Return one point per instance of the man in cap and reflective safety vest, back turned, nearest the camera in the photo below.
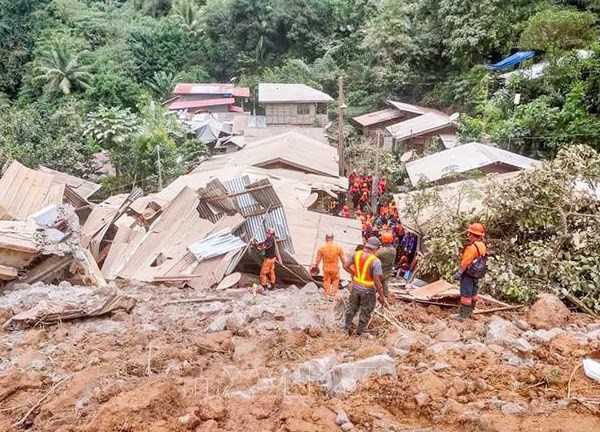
(366, 271)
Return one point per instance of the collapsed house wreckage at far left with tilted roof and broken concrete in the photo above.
(39, 225)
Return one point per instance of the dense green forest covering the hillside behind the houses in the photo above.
(78, 76)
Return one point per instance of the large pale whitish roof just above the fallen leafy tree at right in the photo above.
(462, 159)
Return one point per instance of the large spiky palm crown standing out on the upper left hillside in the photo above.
(60, 70)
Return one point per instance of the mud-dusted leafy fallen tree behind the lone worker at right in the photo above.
(543, 230)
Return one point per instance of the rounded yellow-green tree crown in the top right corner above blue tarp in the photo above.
(559, 29)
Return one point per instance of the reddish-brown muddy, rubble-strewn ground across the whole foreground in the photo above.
(233, 366)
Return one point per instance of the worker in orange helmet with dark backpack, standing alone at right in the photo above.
(475, 249)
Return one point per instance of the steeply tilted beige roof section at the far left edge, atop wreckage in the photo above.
(24, 191)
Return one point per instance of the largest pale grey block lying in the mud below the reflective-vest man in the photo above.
(345, 377)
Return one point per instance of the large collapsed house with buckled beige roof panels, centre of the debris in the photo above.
(201, 227)
